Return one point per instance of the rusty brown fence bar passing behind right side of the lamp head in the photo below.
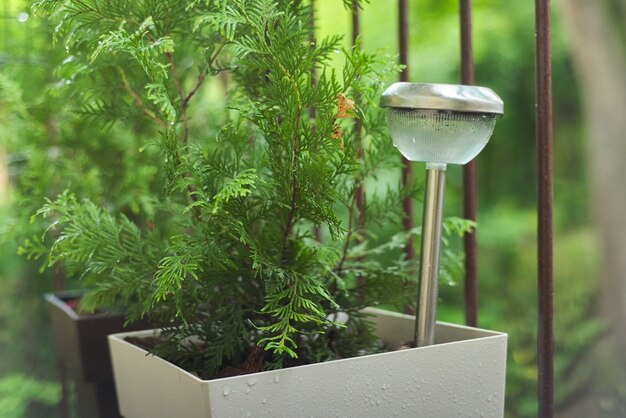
(469, 176)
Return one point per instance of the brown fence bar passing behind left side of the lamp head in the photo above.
(407, 169)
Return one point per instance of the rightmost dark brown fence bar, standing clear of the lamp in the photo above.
(545, 338)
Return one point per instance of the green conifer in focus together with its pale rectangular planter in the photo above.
(229, 265)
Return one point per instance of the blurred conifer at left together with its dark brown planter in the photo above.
(51, 142)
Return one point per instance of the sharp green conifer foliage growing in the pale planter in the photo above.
(228, 254)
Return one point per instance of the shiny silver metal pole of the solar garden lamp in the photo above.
(429, 255)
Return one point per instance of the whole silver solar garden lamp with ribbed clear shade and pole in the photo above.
(438, 124)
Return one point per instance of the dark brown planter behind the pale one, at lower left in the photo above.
(81, 344)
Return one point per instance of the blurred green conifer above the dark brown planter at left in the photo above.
(51, 142)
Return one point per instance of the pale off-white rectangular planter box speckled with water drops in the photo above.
(461, 375)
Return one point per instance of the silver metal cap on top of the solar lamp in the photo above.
(446, 97)
